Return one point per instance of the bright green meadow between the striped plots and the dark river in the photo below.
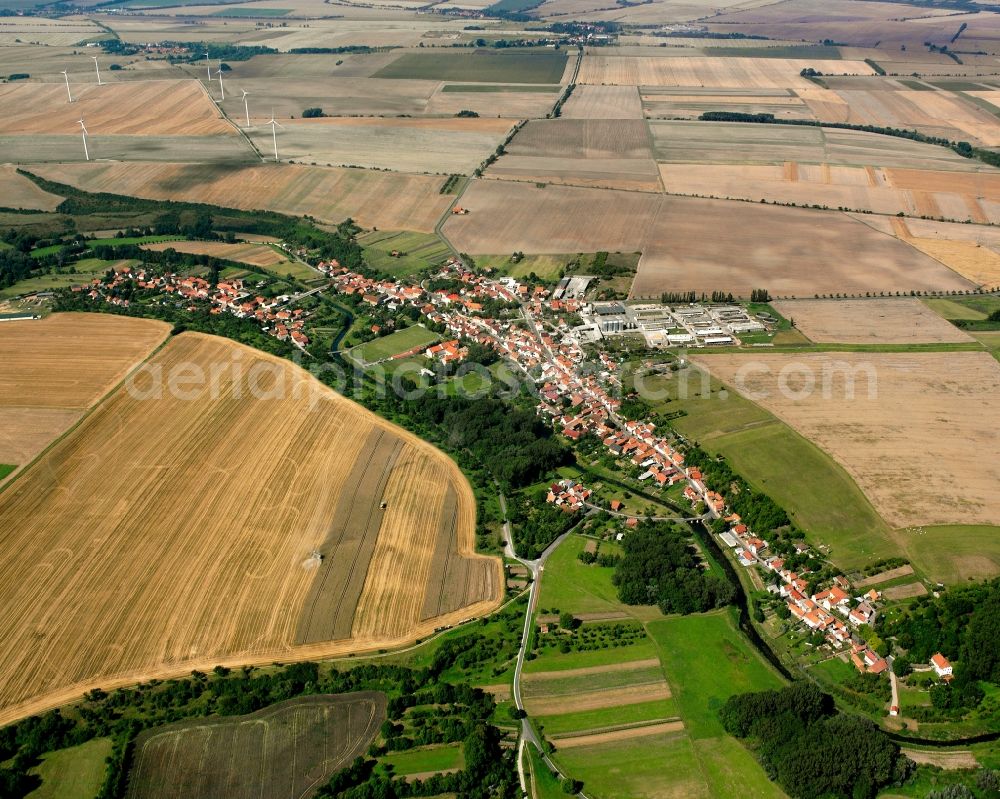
(707, 660)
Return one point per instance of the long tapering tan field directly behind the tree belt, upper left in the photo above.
(372, 199)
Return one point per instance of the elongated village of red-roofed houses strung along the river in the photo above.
(575, 395)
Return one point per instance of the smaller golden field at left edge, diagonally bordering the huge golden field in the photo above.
(40, 395)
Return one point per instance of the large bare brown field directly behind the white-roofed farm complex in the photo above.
(696, 245)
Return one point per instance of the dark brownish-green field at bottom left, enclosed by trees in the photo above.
(288, 749)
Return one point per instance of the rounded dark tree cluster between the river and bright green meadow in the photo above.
(659, 566)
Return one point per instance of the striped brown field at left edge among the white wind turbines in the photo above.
(165, 108)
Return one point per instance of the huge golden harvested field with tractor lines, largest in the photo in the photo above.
(105, 583)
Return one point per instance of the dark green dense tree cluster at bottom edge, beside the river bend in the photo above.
(811, 750)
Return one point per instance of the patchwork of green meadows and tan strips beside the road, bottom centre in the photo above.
(639, 718)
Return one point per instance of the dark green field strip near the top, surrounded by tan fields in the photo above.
(479, 66)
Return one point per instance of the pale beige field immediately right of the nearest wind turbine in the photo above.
(404, 145)
